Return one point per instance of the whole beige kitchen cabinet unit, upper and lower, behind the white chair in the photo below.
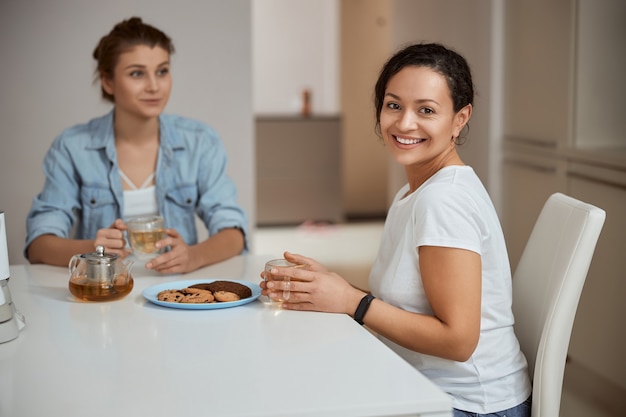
(555, 140)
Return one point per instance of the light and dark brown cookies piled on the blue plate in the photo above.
(212, 292)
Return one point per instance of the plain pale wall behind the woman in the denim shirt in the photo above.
(47, 75)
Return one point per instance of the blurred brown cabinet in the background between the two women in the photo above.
(298, 169)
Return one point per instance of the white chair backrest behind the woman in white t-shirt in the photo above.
(547, 285)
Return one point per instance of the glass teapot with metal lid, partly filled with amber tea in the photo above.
(100, 276)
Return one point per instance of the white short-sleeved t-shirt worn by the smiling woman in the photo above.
(453, 209)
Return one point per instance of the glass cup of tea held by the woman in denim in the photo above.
(143, 233)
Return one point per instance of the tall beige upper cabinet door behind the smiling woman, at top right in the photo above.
(538, 71)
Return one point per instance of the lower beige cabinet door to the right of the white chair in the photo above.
(598, 338)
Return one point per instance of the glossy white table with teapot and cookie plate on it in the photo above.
(133, 358)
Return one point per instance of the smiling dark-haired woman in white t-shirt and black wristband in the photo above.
(441, 284)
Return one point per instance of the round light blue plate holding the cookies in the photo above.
(151, 293)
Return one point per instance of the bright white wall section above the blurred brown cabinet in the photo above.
(295, 46)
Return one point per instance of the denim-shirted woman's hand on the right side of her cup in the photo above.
(177, 260)
